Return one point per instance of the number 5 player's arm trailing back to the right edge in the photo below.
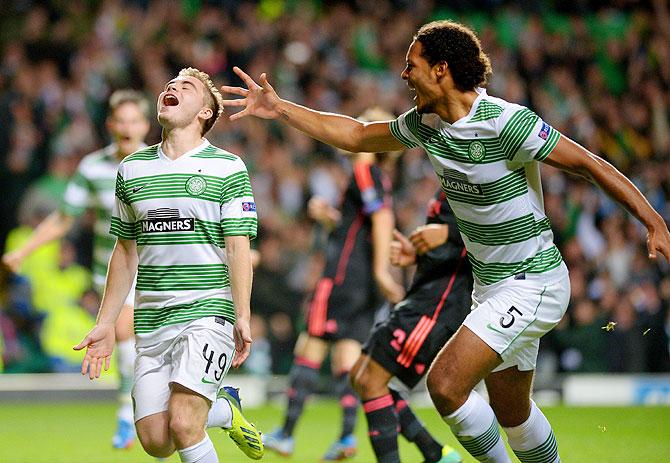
(571, 157)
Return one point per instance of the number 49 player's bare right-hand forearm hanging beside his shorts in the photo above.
(239, 262)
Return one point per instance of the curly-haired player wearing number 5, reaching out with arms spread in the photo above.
(486, 152)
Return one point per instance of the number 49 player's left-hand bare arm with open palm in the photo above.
(99, 342)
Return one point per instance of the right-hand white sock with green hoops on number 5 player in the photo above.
(533, 441)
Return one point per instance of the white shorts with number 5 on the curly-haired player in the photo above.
(512, 315)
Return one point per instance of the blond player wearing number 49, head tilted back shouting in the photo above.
(183, 216)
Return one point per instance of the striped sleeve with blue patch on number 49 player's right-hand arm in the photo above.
(238, 208)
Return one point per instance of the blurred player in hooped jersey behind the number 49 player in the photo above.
(93, 187)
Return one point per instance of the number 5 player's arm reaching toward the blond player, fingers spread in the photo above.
(337, 130)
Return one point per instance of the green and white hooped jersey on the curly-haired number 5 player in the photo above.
(485, 163)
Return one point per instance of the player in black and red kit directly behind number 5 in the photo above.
(406, 343)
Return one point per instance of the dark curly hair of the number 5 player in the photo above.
(459, 47)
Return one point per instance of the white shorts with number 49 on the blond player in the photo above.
(198, 358)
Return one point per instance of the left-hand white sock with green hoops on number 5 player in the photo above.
(475, 426)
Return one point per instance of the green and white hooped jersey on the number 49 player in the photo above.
(179, 211)
